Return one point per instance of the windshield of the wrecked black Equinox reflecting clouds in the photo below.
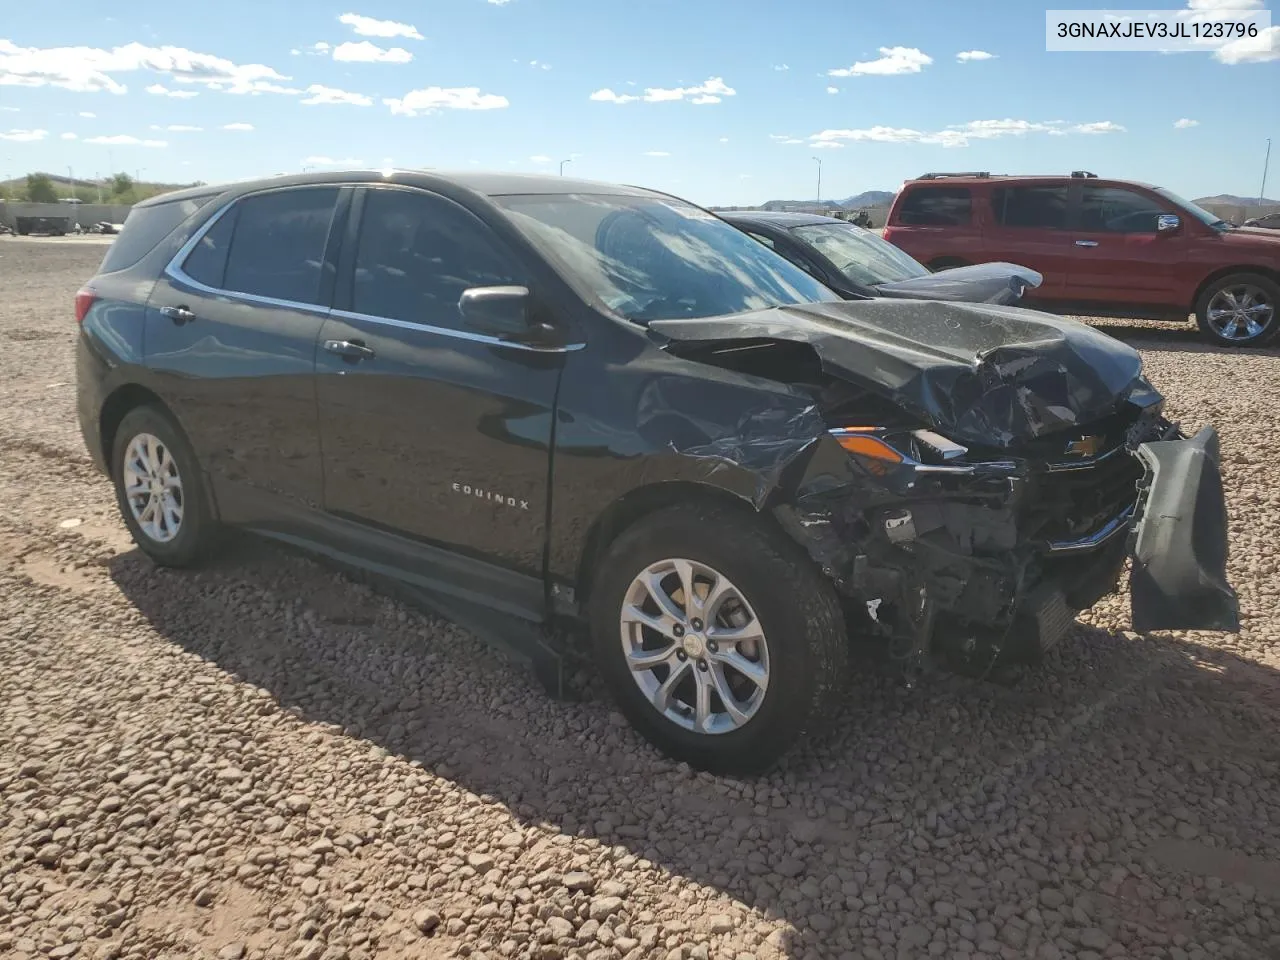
(659, 259)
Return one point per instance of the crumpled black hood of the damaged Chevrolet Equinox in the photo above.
(981, 373)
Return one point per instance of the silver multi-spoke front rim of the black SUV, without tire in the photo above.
(694, 647)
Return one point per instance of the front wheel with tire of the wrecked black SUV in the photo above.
(720, 641)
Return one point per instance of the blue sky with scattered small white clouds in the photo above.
(719, 102)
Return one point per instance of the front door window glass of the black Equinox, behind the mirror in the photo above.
(418, 254)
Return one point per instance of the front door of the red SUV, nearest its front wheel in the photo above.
(1118, 257)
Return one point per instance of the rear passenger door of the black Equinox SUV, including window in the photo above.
(231, 332)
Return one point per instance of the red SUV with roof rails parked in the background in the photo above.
(1105, 248)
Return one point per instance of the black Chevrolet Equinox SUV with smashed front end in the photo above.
(560, 401)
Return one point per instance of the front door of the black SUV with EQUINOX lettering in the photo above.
(433, 433)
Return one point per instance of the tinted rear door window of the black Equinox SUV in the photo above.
(278, 244)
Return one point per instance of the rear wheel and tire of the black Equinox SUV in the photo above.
(161, 490)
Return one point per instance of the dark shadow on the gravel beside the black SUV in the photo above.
(918, 797)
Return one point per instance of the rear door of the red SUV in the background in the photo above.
(1028, 226)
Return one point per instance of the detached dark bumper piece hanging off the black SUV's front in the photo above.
(1180, 541)
